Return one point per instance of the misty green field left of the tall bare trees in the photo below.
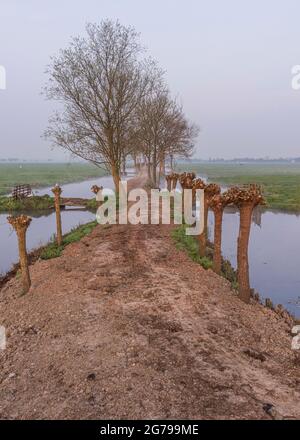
(40, 175)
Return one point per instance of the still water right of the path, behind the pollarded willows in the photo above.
(273, 253)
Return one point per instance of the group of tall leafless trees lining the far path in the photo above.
(114, 104)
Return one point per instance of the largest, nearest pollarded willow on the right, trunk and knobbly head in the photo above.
(246, 199)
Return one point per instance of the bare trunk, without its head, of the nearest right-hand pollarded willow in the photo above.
(242, 252)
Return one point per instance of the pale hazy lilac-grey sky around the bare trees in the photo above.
(229, 62)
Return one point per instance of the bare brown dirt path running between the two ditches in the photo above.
(123, 325)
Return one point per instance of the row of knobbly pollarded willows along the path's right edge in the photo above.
(245, 198)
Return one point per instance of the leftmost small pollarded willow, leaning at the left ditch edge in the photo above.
(20, 225)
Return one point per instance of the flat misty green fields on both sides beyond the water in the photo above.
(280, 182)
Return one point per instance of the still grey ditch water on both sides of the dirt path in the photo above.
(273, 250)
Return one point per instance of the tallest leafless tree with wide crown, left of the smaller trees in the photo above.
(99, 82)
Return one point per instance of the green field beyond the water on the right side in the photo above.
(280, 182)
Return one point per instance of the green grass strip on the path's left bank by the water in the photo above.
(52, 250)
